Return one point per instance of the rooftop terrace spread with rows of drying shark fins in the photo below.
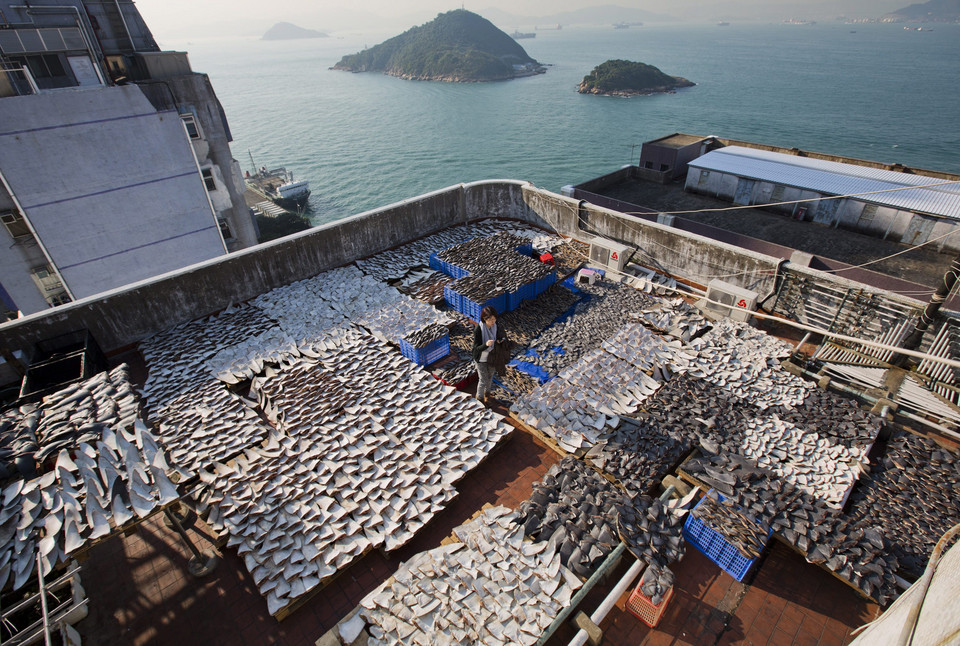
(321, 459)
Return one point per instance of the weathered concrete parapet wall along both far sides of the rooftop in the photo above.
(127, 315)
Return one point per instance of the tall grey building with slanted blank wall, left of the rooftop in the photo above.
(115, 163)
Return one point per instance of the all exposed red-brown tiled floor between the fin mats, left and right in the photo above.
(141, 593)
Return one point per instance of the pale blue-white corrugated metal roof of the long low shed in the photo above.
(835, 178)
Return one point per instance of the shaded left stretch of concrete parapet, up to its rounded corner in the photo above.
(129, 314)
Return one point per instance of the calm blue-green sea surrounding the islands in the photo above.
(876, 92)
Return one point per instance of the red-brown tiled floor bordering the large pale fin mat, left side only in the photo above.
(141, 593)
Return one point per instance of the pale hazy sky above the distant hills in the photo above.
(174, 19)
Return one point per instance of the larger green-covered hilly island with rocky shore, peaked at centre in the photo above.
(456, 46)
